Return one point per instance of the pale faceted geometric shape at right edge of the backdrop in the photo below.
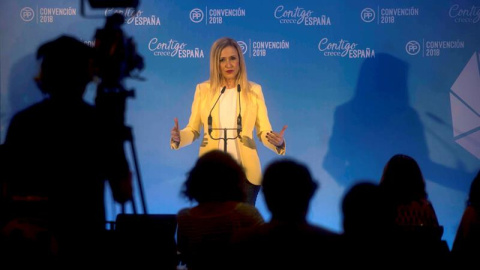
(465, 106)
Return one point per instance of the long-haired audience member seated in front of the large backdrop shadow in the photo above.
(416, 235)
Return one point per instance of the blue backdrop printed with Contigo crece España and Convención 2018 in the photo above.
(355, 81)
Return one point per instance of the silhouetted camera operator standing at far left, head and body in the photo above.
(56, 159)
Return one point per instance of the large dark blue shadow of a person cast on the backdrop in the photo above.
(377, 123)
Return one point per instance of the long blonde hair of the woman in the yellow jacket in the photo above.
(216, 78)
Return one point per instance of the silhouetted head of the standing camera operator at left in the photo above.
(66, 68)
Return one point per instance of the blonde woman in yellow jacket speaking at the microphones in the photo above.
(228, 104)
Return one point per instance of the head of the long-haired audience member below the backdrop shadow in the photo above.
(402, 179)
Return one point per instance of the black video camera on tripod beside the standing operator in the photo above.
(115, 59)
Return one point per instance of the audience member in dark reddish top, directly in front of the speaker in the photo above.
(204, 231)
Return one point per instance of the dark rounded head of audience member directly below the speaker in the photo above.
(216, 177)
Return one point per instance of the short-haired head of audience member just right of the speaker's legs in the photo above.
(288, 188)
